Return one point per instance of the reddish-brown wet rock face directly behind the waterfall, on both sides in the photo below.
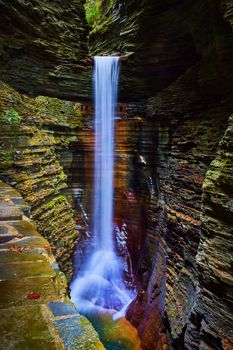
(137, 213)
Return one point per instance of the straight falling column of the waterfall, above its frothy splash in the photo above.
(106, 82)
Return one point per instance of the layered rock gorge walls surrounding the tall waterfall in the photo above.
(173, 155)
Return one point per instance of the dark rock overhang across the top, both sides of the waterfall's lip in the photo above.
(161, 40)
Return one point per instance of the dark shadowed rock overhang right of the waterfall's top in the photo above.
(161, 39)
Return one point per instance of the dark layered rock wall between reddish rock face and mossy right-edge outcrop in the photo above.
(198, 123)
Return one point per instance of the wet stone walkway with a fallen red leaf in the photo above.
(35, 312)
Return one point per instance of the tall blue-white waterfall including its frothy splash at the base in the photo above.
(99, 286)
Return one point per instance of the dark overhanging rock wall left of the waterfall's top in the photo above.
(43, 48)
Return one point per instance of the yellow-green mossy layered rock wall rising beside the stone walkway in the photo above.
(30, 162)
